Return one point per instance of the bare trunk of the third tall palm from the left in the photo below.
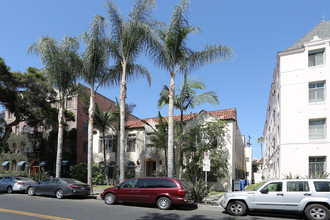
(122, 123)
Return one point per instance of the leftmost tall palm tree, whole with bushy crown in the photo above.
(62, 65)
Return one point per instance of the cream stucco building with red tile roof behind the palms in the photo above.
(143, 160)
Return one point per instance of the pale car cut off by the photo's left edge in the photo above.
(10, 184)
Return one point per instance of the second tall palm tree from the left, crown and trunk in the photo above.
(96, 74)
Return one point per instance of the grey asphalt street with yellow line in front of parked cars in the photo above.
(20, 206)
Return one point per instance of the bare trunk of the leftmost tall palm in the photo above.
(59, 142)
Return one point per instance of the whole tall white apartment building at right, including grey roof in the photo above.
(296, 135)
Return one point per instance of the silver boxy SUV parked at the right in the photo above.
(308, 196)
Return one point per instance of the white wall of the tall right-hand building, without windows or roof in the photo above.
(292, 149)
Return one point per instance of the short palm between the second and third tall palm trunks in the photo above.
(103, 121)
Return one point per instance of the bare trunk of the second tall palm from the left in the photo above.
(91, 111)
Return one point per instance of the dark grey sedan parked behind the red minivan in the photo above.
(59, 187)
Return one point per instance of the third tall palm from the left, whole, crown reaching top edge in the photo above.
(127, 41)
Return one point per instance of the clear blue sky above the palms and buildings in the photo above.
(256, 30)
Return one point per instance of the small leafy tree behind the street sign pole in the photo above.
(209, 137)
